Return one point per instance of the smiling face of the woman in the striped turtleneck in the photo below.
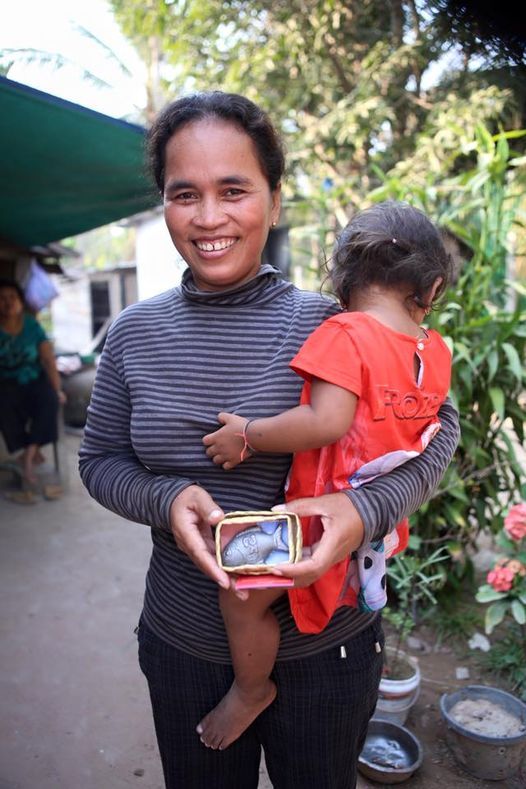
(220, 212)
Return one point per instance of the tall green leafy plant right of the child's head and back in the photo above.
(483, 320)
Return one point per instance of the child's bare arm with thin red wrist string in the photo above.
(324, 421)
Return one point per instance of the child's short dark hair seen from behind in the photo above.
(390, 244)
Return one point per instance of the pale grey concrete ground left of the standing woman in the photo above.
(75, 712)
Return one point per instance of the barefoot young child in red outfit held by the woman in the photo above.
(374, 381)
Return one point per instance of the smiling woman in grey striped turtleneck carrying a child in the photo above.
(222, 341)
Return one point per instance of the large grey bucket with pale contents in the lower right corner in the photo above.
(486, 757)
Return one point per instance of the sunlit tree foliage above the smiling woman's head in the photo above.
(355, 85)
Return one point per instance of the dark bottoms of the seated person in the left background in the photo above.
(28, 413)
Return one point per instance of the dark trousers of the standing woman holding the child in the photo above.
(312, 734)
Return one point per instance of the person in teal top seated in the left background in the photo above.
(30, 389)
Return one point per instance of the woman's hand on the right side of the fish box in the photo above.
(343, 533)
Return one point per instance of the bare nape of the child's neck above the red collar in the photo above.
(392, 307)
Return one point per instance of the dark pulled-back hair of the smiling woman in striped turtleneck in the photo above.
(229, 107)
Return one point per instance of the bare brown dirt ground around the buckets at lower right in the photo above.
(439, 770)
